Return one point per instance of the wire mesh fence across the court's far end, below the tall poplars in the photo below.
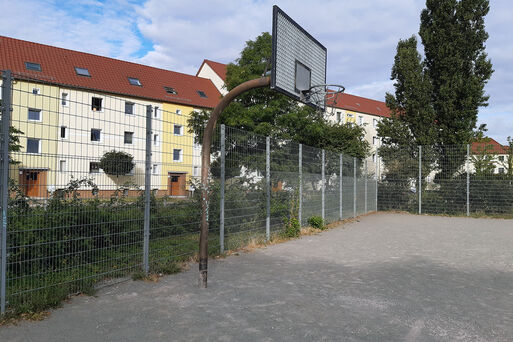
(467, 180)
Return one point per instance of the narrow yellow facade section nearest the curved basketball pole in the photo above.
(172, 115)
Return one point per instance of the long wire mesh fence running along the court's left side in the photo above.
(99, 187)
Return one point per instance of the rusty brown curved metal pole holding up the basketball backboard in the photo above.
(205, 167)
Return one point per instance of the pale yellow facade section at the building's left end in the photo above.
(44, 99)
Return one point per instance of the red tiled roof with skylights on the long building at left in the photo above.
(107, 74)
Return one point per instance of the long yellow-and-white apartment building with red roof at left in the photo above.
(73, 107)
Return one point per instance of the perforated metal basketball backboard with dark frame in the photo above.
(298, 61)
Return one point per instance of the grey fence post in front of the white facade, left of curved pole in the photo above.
(147, 192)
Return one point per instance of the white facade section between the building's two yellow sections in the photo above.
(76, 150)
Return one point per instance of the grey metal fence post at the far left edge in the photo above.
(4, 181)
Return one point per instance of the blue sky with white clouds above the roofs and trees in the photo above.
(361, 37)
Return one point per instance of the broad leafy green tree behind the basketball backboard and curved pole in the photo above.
(266, 112)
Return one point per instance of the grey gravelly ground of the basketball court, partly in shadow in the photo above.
(386, 277)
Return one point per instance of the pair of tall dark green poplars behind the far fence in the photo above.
(437, 99)
